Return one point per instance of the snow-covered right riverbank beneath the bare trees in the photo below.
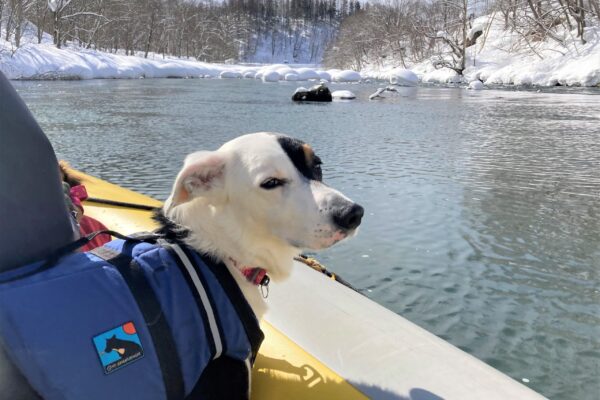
(504, 57)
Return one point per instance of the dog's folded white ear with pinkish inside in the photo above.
(203, 175)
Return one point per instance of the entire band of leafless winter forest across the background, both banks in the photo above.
(340, 33)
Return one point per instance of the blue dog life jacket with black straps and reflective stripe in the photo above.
(129, 320)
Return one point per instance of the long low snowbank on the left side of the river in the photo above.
(46, 62)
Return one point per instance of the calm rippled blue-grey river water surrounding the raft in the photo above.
(482, 216)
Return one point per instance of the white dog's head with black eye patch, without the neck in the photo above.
(268, 185)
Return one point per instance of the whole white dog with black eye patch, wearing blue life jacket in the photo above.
(236, 217)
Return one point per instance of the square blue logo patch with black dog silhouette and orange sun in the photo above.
(118, 347)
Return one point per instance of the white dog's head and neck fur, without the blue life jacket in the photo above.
(256, 203)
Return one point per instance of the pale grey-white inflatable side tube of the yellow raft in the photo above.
(377, 351)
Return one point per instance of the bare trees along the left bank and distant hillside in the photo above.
(207, 30)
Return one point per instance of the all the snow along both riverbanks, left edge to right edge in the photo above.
(498, 57)
